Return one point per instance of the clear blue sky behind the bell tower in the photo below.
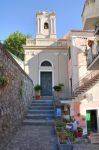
(20, 15)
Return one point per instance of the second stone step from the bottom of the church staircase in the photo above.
(39, 116)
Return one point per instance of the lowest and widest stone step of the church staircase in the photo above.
(38, 122)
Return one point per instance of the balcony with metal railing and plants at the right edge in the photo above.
(93, 56)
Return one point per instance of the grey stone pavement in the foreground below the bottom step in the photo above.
(34, 138)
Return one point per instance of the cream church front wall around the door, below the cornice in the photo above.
(33, 59)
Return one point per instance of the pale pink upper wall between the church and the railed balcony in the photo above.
(78, 59)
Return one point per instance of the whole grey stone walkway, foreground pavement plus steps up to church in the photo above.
(37, 131)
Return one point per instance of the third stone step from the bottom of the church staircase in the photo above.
(39, 111)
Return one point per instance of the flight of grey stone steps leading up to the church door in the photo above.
(41, 112)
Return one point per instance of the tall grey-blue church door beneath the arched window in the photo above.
(46, 83)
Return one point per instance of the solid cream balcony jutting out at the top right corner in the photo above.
(90, 14)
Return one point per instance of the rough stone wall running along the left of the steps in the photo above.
(16, 92)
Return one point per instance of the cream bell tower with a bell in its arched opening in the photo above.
(46, 24)
